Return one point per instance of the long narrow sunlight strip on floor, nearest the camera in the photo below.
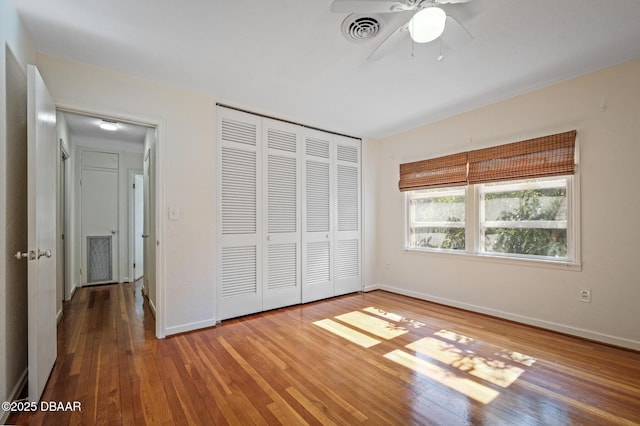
(467, 387)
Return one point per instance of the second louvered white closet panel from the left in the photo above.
(281, 189)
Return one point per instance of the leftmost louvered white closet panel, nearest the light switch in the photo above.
(239, 256)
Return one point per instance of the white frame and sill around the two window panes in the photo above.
(473, 238)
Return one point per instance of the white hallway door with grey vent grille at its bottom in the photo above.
(99, 225)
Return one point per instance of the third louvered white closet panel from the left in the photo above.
(317, 216)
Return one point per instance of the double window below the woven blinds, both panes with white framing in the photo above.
(522, 218)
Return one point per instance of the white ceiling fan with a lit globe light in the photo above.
(427, 23)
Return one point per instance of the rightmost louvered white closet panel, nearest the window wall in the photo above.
(348, 234)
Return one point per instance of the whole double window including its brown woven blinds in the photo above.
(517, 201)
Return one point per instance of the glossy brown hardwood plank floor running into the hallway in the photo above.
(374, 358)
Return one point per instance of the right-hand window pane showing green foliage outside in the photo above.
(525, 217)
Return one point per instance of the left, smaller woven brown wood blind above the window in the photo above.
(450, 170)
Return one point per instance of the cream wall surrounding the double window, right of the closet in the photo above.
(604, 107)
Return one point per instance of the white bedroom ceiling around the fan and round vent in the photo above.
(289, 59)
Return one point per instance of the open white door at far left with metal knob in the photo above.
(41, 193)
